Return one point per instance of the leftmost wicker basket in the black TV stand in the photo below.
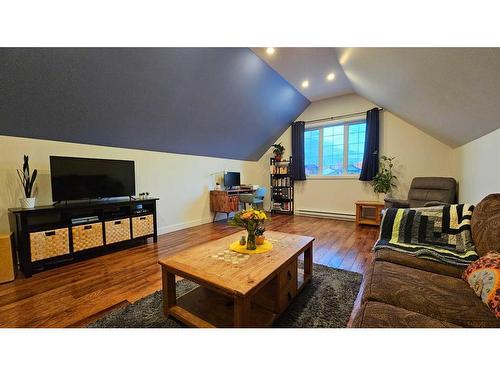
(48, 244)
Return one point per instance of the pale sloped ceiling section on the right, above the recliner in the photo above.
(452, 94)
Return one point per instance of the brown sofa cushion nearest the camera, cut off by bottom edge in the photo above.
(380, 315)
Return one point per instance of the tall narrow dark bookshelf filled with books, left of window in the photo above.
(282, 189)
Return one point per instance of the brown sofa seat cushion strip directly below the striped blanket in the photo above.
(419, 263)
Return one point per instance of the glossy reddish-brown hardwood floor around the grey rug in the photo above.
(75, 294)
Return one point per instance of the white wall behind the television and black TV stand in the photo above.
(181, 182)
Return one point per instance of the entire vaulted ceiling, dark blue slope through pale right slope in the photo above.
(234, 102)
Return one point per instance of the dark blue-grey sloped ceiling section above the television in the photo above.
(220, 102)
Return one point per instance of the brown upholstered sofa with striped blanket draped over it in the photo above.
(400, 290)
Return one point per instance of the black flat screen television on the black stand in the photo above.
(84, 178)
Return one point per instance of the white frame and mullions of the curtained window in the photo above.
(344, 175)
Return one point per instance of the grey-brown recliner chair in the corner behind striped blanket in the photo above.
(427, 191)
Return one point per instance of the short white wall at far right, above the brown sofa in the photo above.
(478, 167)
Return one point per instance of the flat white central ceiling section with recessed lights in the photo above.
(312, 64)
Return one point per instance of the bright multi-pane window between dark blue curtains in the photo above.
(335, 150)
